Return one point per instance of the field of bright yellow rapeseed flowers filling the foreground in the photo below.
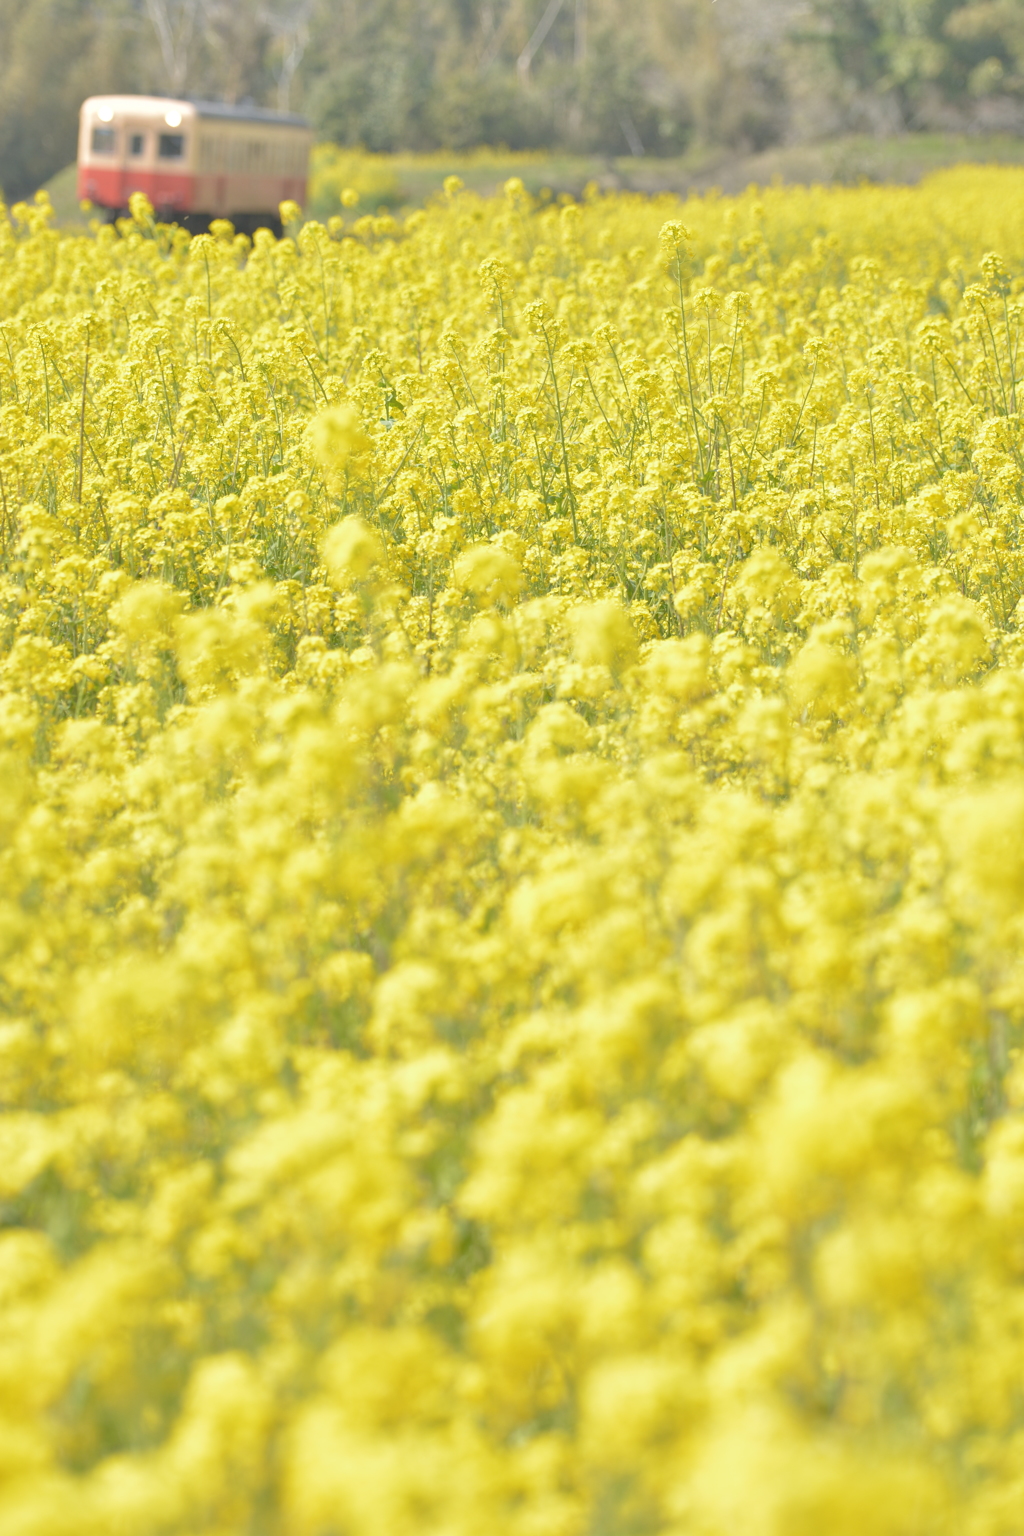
(512, 870)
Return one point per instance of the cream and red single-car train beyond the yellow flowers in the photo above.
(194, 161)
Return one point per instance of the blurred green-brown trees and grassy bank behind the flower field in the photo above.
(607, 82)
